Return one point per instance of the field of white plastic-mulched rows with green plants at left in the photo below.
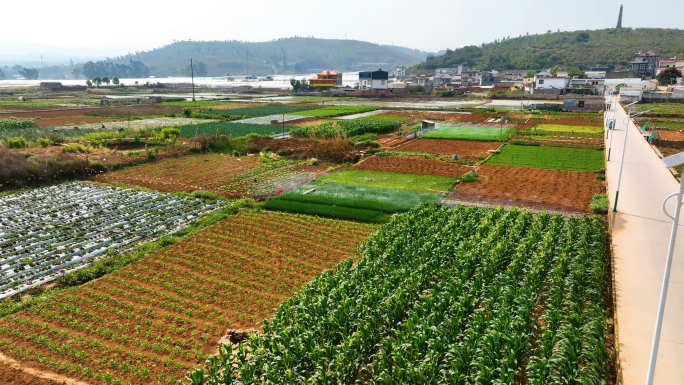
(47, 232)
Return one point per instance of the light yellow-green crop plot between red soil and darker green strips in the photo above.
(390, 180)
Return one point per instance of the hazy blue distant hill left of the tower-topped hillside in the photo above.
(290, 55)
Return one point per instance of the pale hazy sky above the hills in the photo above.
(117, 27)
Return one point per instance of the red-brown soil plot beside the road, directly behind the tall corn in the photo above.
(527, 187)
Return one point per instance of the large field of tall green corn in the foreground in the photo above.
(460, 295)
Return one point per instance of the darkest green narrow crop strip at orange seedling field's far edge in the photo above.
(328, 211)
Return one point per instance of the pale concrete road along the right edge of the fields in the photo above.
(640, 234)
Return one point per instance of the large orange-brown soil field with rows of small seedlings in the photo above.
(155, 319)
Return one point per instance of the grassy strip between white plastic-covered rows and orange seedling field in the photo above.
(115, 262)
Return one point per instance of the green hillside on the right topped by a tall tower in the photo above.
(578, 49)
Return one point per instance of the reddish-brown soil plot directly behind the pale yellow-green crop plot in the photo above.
(413, 165)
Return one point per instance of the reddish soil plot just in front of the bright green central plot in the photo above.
(466, 149)
